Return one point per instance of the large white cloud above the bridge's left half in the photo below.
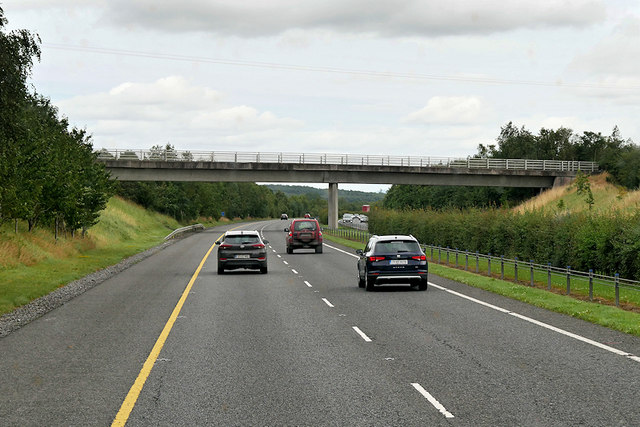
(171, 108)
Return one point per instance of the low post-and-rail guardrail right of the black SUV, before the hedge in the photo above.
(579, 282)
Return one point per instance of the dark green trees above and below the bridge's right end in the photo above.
(619, 157)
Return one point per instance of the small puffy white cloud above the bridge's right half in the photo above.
(450, 110)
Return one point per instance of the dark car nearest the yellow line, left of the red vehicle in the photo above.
(242, 249)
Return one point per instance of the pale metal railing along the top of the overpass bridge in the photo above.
(345, 159)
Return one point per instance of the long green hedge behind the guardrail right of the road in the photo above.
(608, 244)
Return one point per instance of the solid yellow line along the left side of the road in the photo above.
(134, 392)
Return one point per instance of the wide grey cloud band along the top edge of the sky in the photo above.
(381, 18)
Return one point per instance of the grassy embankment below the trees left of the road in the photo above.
(34, 264)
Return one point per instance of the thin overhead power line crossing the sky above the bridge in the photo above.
(293, 67)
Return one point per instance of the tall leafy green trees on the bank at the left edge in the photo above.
(48, 172)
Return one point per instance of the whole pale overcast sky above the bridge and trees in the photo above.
(404, 77)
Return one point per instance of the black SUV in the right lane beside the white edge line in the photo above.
(392, 259)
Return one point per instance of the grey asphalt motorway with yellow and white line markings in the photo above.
(303, 345)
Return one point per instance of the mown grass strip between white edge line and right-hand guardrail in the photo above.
(605, 315)
